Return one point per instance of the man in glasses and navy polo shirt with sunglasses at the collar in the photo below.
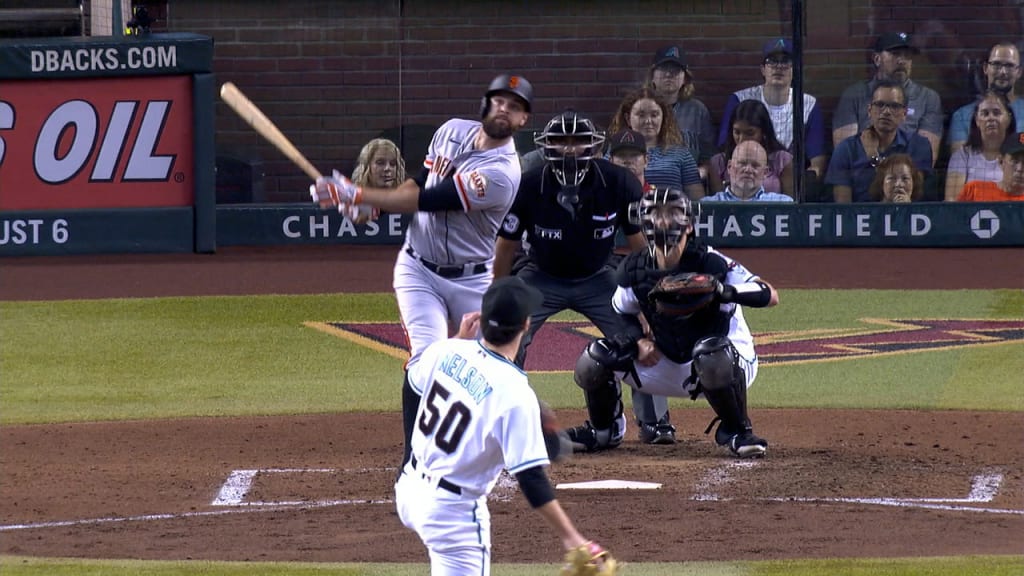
(852, 167)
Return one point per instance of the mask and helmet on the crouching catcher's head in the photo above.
(665, 215)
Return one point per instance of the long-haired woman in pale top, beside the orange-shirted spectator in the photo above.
(993, 121)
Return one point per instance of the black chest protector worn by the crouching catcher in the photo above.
(677, 336)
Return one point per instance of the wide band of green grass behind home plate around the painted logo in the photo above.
(160, 358)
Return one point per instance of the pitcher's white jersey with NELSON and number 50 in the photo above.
(478, 416)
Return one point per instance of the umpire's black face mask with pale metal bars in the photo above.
(557, 144)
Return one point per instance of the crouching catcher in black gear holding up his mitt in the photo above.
(697, 342)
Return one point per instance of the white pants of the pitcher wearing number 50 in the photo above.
(455, 529)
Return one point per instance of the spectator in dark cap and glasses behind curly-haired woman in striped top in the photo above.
(672, 80)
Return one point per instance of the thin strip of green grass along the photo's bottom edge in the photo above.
(963, 566)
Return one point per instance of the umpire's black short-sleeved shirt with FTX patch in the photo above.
(561, 244)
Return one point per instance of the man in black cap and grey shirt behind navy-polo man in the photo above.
(893, 60)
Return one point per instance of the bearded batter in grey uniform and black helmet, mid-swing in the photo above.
(470, 180)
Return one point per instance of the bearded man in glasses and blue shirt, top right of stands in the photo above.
(1003, 71)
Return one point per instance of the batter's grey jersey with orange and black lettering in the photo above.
(487, 182)
